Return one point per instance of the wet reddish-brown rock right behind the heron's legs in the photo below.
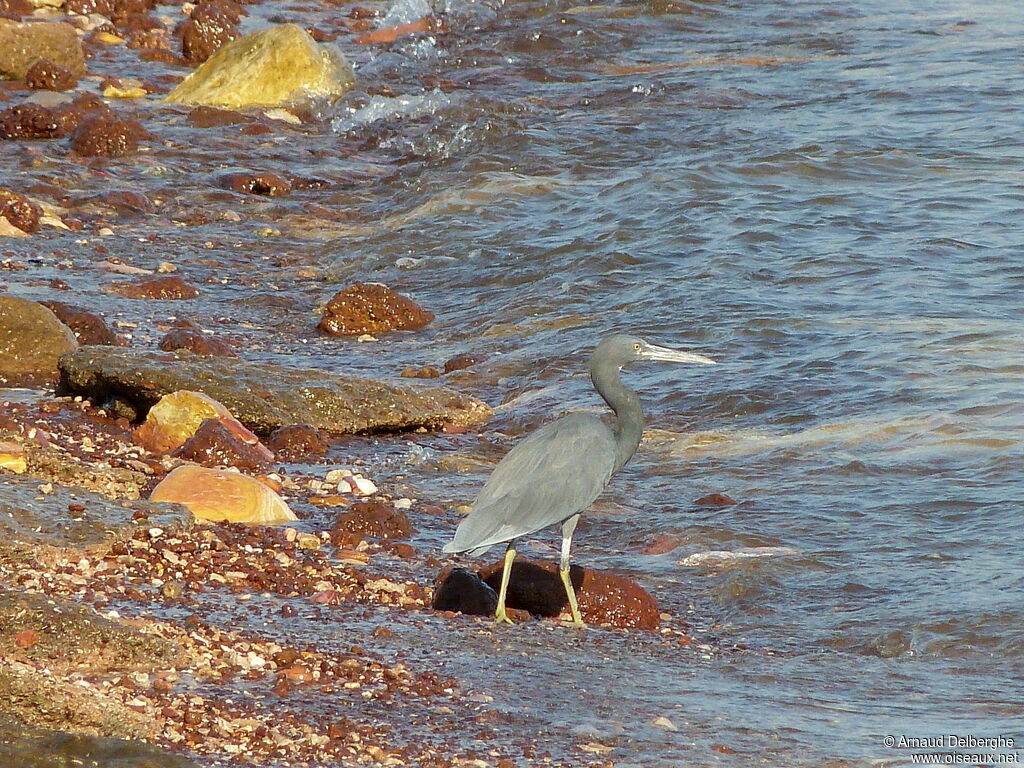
(604, 598)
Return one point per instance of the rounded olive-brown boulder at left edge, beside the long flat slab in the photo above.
(31, 342)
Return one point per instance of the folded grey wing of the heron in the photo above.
(550, 477)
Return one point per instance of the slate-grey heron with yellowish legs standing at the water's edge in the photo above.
(556, 475)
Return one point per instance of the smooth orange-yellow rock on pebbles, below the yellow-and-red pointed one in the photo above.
(220, 495)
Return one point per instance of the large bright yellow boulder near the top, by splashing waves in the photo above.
(276, 67)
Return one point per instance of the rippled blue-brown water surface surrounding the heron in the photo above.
(826, 197)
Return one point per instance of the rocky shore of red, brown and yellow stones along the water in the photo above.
(178, 506)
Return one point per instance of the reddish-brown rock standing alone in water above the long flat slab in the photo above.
(372, 308)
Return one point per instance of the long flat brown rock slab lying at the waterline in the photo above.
(266, 397)
